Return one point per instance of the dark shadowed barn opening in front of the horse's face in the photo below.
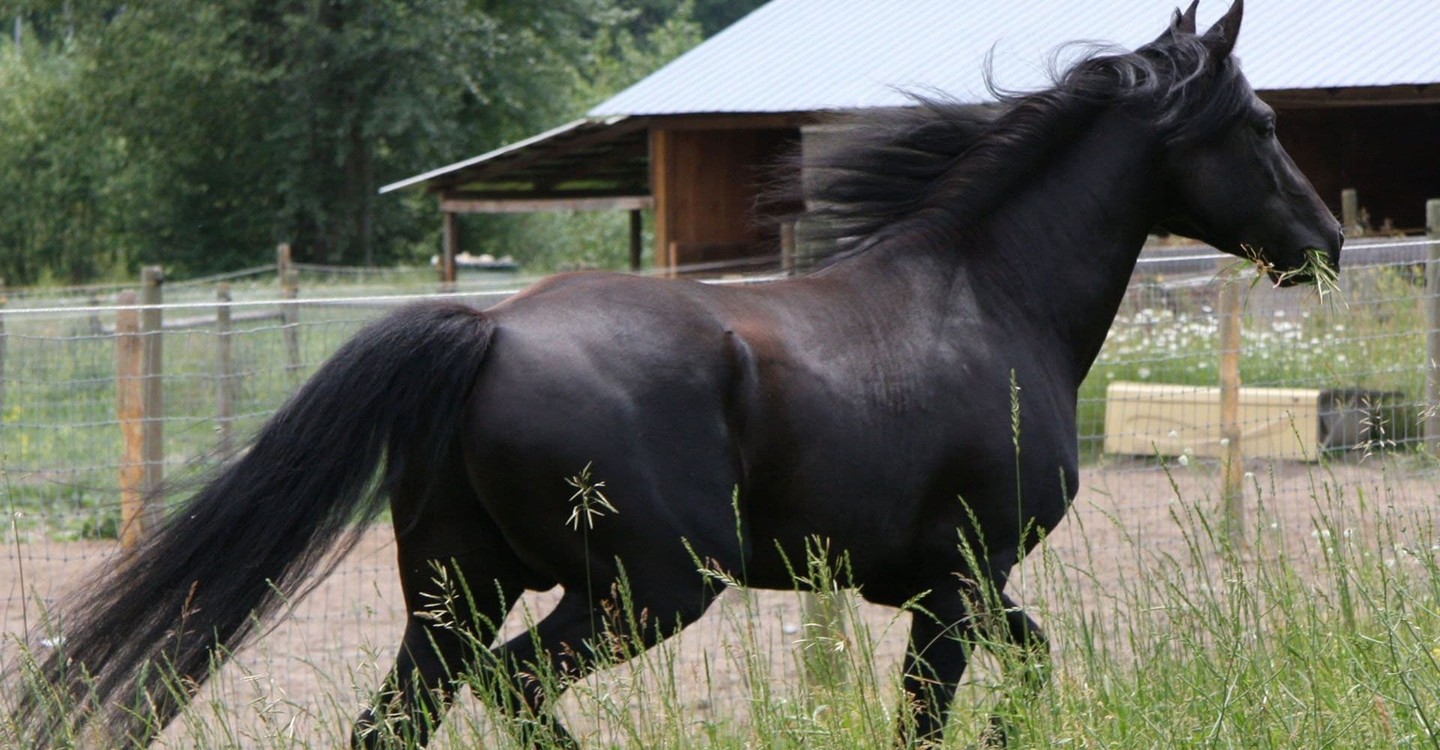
(1389, 155)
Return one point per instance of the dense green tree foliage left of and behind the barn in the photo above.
(201, 135)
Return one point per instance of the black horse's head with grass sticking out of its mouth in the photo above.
(1229, 181)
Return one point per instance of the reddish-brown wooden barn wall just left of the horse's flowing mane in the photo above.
(706, 184)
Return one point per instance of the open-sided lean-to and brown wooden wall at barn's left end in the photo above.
(701, 173)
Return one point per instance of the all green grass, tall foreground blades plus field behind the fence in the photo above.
(1327, 640)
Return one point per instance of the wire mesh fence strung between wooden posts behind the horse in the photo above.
(1334, 384)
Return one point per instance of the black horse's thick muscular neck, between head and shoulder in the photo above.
(1046, 268)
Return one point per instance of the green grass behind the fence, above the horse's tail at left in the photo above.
(60, 434)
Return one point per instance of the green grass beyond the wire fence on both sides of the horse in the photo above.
(60, 434)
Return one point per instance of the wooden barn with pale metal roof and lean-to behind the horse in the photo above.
(692, 148)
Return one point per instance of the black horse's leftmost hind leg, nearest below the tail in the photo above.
(460, 581)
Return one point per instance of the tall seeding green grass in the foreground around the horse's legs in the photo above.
(1328, 638)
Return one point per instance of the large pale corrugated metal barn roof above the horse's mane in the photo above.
(806, 55)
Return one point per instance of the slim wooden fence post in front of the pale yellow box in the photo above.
(1233, 460)
